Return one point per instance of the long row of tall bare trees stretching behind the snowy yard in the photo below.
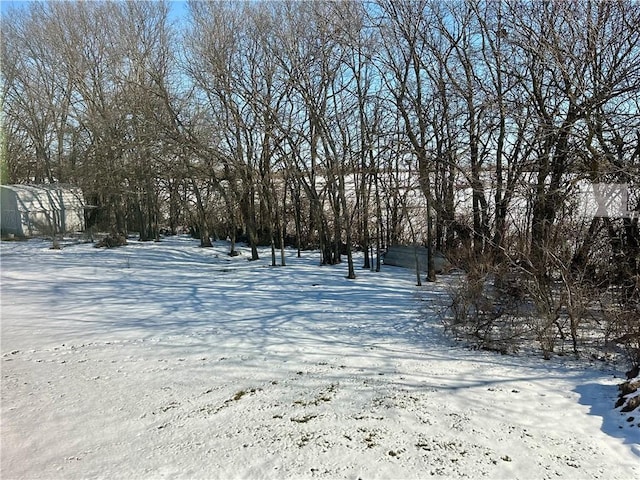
(466, 126)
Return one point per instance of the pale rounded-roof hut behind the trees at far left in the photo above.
(31, 210)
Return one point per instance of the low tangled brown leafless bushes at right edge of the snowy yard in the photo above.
(508, 308)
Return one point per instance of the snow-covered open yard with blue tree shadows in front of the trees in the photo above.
(165, 360)
